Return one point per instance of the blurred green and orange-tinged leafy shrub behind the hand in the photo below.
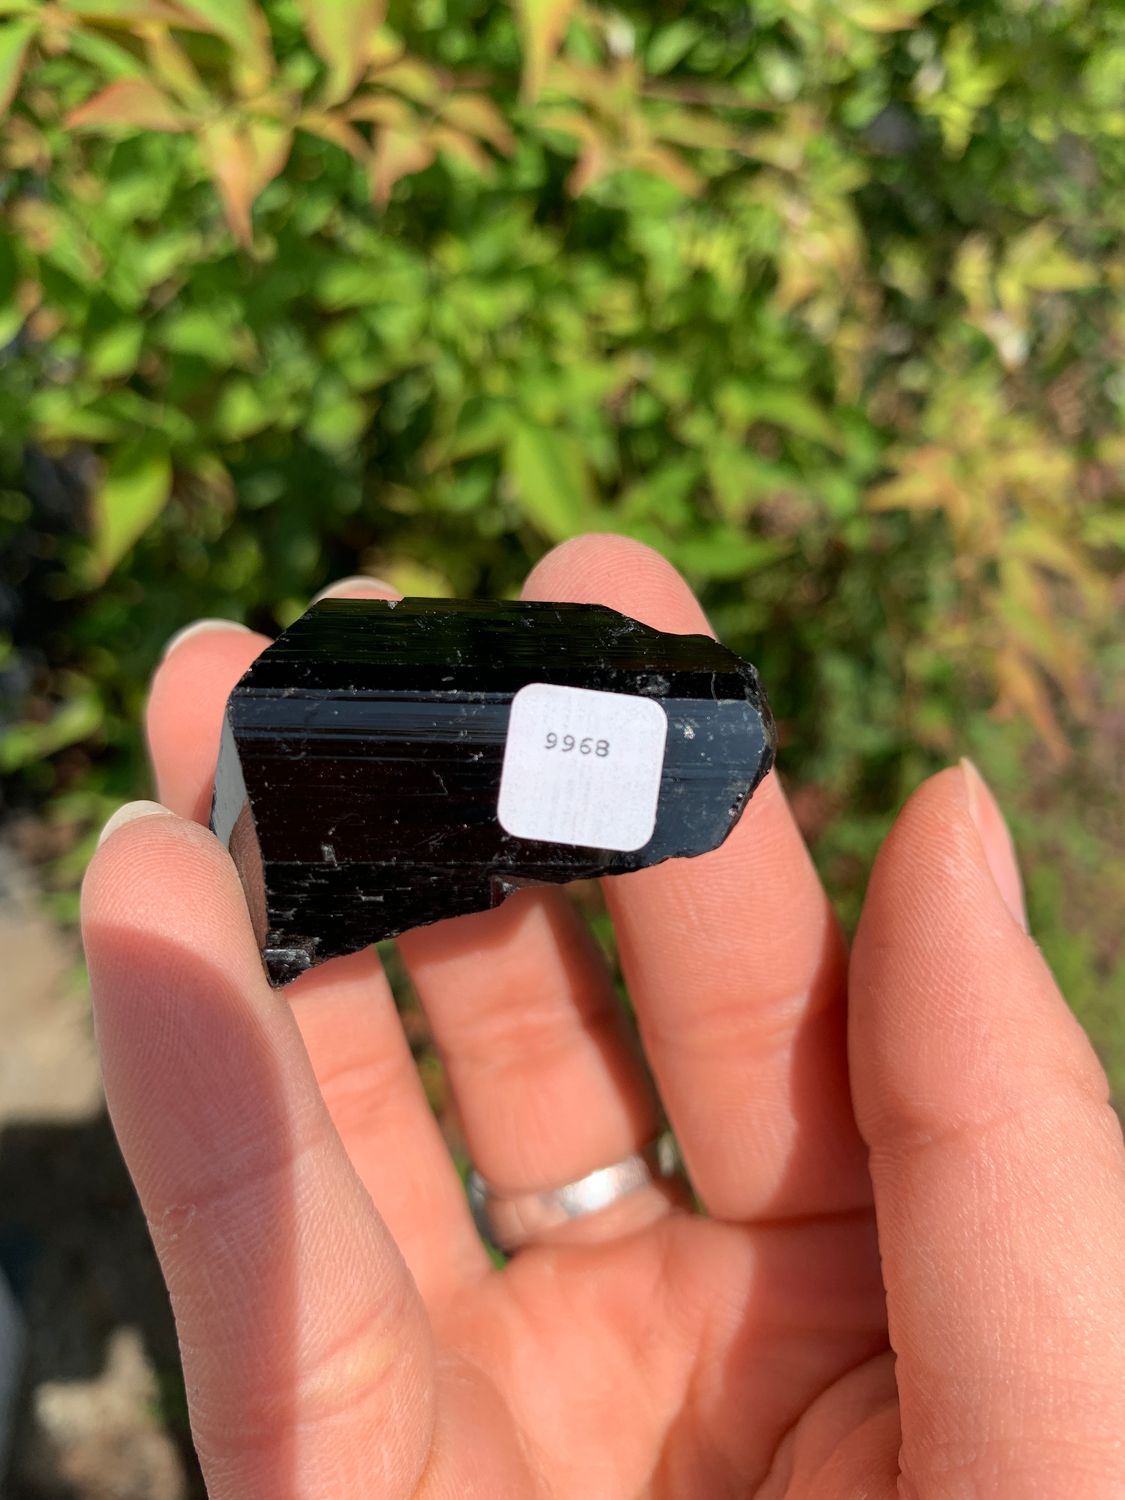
(821, 298)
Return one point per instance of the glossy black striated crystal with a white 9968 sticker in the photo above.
(389, 764)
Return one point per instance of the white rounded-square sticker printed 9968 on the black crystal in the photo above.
(583, 767)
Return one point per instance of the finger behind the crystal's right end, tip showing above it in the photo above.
(734, 962)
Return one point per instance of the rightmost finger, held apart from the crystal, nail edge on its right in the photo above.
(998, 1168)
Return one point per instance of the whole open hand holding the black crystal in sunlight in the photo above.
(926, 1304)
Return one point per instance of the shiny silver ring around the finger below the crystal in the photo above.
(511, 1220)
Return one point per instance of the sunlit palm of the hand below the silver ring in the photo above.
(671, 1363)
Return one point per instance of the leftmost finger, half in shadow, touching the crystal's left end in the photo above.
(307, 1352)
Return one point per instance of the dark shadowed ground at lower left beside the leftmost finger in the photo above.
(77, 1253)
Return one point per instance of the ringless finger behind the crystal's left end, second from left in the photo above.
(344, 1009)
